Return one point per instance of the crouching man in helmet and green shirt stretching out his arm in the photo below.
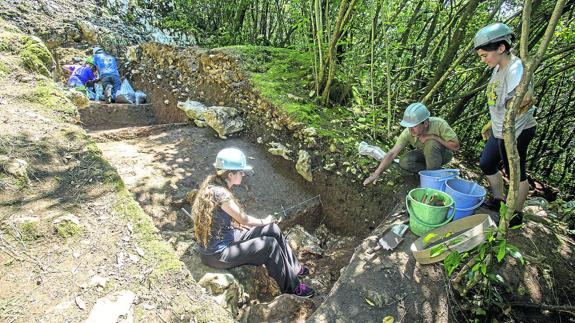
(432, 138)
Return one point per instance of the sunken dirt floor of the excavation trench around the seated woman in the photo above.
(161, 163)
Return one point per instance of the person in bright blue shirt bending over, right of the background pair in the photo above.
(108, 74)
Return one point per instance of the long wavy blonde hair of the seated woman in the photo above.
(205, 205)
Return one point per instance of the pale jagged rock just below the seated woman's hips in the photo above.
(225, 288)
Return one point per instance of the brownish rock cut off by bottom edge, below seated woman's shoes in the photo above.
(284, 308)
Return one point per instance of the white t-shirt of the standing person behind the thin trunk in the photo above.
(501, 88)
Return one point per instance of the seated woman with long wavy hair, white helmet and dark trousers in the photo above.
(228, 237)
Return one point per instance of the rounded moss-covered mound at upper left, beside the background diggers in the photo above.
(36, 56)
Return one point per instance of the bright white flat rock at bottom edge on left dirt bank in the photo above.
(119, 305)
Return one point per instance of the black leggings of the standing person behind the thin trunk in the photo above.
(494, 152)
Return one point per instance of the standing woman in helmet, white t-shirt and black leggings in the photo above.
(493, 45)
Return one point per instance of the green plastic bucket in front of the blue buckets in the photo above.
(426, 213)
